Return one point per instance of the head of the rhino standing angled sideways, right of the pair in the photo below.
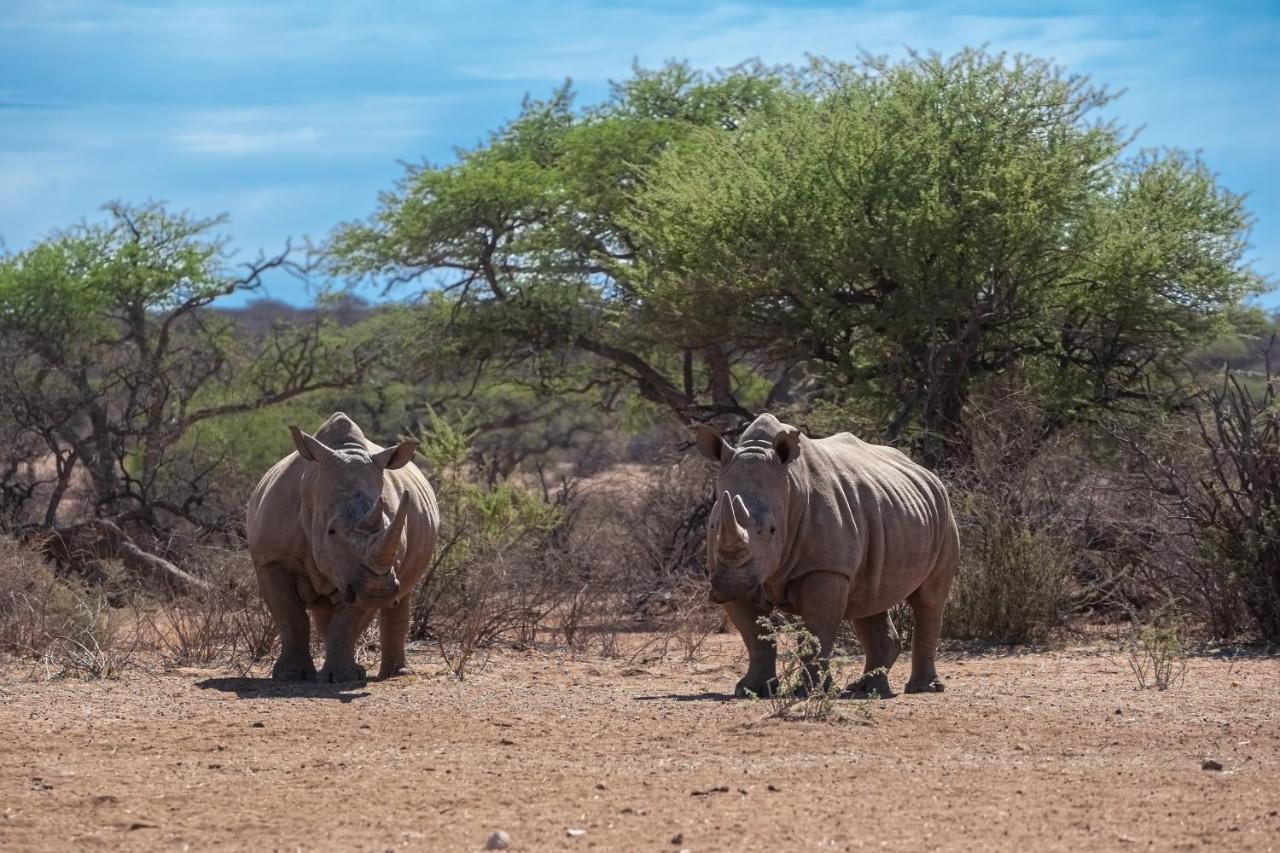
(747, 532)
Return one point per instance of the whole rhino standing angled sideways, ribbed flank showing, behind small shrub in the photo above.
(831, 530)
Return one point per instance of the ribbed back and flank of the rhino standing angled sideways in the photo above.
(870, 513)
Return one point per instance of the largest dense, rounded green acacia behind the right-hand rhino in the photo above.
(911, 230)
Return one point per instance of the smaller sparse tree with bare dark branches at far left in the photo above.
(109, 363)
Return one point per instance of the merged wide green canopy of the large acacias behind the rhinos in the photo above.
(894, 234)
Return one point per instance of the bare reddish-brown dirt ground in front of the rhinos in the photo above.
(1031, 751)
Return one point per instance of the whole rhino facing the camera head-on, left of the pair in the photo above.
(342, 528)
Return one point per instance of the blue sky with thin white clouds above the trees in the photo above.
(291, 117)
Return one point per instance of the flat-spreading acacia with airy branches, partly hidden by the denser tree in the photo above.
(525, 244)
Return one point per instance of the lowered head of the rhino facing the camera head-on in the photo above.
(354, 531)
